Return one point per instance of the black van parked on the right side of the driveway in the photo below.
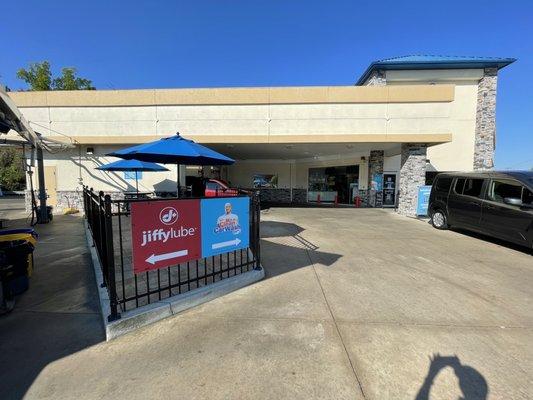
(498, 204)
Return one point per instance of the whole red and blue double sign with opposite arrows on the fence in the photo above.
(170, 232)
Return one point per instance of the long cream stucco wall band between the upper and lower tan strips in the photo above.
(293, 122)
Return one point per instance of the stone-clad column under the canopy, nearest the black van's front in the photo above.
(412, 176)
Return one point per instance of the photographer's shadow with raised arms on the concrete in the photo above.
(472, 384)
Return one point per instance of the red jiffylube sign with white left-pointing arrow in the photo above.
(165, 233)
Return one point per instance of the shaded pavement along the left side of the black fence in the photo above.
(58, 315)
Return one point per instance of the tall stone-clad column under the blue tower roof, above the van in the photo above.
(485, 137)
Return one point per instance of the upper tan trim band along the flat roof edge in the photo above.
(237, 96)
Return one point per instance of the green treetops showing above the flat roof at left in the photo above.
(39, 77)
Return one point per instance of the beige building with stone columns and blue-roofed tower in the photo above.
(377, 141)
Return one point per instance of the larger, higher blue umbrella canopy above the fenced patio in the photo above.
(174, 150)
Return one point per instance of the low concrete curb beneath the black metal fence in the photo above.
(145, 315)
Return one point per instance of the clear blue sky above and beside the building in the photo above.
(160, 44)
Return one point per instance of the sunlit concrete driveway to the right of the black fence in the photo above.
(357, 304)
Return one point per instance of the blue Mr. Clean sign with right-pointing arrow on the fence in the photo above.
(225, 224)
